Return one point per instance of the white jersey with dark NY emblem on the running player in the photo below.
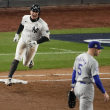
(33, 30)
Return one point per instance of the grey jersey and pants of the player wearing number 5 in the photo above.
(86, 67)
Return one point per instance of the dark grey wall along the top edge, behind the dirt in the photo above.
(28, 3)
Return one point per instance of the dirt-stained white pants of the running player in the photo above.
(23, 51)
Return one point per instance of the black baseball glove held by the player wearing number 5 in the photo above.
(71, 99)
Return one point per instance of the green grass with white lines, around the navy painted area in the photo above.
(53, 54)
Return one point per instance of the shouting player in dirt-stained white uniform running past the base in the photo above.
(34, 31)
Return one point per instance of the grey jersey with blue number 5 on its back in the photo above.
(86, 67)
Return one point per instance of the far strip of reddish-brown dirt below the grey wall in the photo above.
(59, 17)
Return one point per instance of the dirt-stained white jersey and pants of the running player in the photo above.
(32, 31)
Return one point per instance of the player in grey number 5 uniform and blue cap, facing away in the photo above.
(85, 70)
